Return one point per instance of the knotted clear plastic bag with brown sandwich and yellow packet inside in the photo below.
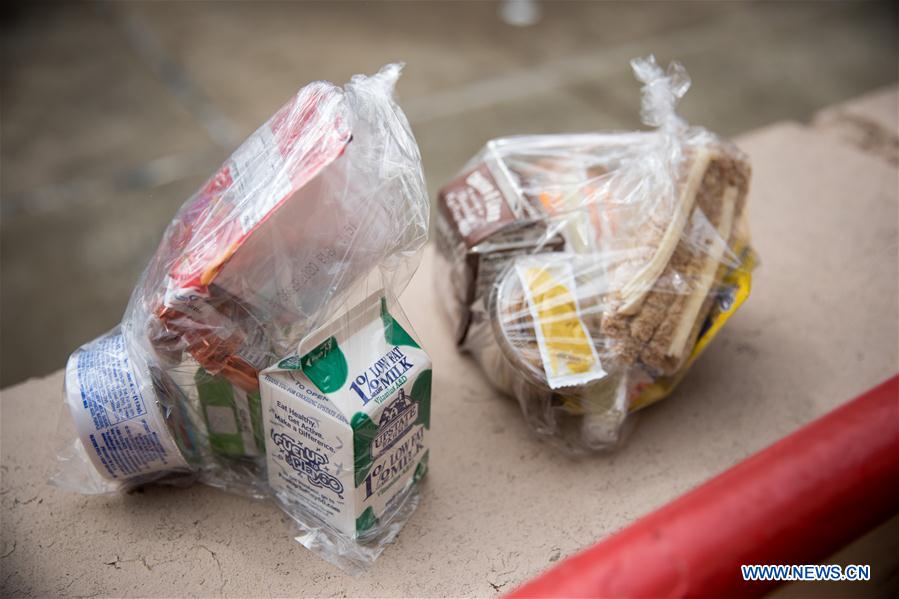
(585, 272)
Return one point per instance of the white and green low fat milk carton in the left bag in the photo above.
(346, 421)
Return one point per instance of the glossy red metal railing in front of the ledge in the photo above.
(795, 502)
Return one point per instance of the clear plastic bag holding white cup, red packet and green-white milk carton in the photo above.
(321, 213)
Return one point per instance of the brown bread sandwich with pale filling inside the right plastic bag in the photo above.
(658, 313)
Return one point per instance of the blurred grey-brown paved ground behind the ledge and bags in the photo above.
(112, 115)
